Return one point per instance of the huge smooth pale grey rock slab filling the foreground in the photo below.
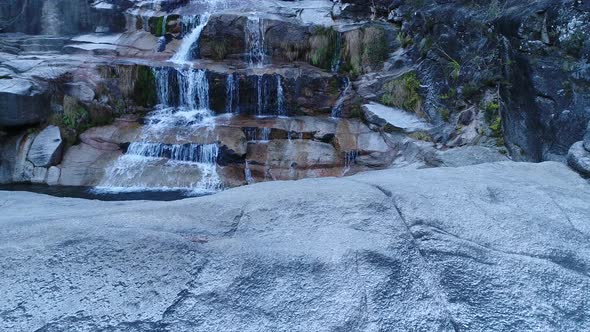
(502, 247)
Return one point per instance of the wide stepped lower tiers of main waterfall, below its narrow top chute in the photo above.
(148, 164)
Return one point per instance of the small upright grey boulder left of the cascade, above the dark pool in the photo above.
(46, 149)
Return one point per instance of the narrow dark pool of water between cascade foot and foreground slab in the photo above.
(88, 193)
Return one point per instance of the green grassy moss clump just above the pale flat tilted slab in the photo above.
(403, 93)
